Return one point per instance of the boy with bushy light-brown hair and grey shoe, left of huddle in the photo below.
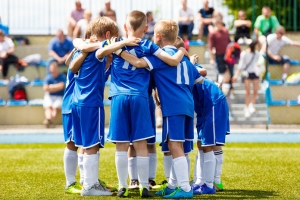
(88, 112)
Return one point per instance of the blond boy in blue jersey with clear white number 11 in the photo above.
(174, 86)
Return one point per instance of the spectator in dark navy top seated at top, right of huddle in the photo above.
(205, 18)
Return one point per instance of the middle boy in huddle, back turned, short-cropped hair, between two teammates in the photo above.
(130, 116)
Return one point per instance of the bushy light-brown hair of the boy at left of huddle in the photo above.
(103, 24)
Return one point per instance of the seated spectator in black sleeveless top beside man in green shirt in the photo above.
(243, 26)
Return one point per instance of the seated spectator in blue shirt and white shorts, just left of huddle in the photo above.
(54, 85)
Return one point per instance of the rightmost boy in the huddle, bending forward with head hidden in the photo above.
(212, 126)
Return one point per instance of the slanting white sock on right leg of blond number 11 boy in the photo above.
(181, 171)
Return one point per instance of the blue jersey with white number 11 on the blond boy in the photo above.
(174, 84)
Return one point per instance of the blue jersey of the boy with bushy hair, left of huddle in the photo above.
(90, 82)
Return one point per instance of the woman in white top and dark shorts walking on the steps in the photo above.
(249, 62)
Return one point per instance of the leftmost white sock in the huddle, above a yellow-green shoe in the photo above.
(70, 165)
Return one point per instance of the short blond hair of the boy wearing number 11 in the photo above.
(168, 29)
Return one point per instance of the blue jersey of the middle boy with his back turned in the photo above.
(125, 78)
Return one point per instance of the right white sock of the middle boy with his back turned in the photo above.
(142, 164)
